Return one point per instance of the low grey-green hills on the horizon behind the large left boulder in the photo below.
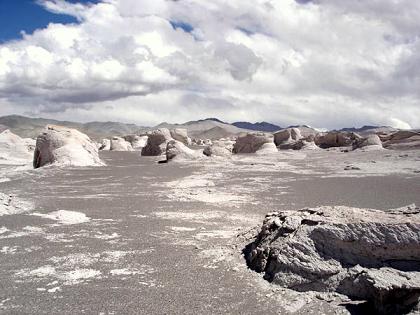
(31, 127)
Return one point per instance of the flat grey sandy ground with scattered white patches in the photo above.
(140, 237)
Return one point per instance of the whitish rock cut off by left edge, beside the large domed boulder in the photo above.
(14, 150)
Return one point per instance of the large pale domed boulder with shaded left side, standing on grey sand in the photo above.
(65, 146)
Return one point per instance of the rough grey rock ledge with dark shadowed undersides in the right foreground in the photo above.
(365, 254)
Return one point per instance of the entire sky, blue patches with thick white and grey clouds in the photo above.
(323, 63)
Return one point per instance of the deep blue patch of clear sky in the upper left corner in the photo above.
(27, 15)
